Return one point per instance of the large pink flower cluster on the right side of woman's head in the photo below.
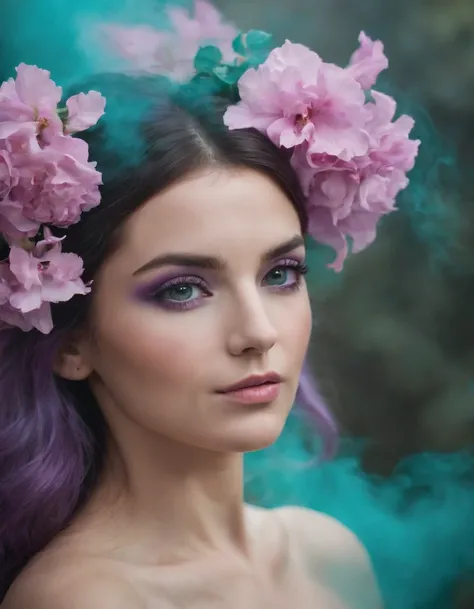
(352, 157)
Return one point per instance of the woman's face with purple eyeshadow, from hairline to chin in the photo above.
(206, 290)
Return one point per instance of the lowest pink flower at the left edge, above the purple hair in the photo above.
(32, 280)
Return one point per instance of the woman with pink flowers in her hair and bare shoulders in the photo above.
(179, 347)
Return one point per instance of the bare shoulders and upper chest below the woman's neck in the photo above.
(285, 567)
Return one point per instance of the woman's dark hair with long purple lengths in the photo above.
(52, 434)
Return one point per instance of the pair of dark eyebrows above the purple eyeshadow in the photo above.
(213, 263)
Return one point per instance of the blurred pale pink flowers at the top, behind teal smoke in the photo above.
(172, 52)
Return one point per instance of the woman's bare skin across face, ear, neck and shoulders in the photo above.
(167, 526)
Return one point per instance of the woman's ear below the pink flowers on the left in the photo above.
(72, 361)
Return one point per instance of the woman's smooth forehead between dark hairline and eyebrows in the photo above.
(215, 211)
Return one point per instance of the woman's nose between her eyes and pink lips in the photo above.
(251, 326)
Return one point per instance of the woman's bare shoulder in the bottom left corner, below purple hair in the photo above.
(76, 584)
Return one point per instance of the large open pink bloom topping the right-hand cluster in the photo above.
(295, 97)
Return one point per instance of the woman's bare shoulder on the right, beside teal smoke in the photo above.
(333, 553)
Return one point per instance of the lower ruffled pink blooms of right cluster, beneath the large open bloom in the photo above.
(347, 199)
